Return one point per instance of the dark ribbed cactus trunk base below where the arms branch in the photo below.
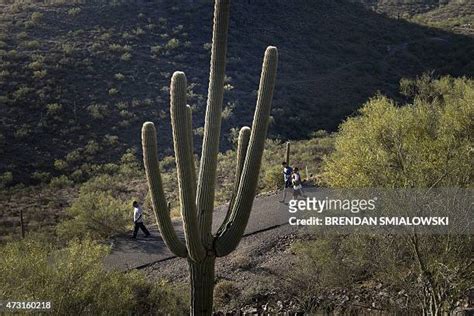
(202, 286)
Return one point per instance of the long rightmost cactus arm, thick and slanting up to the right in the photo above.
(228, 240)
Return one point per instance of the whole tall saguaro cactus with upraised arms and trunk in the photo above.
(201, 247)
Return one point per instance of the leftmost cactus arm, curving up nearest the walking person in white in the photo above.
(160, 207)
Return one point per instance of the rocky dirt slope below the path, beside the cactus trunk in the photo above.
(251, 278)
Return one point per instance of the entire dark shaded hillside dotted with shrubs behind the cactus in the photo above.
(78, 78)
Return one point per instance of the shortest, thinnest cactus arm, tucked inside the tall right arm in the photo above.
(244, 137)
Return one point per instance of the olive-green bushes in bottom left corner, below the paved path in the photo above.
(75, 282)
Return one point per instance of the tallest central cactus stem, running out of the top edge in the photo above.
(210, 147)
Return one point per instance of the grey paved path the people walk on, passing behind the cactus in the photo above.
(267, 212)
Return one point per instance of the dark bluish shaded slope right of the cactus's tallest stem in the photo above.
(334, 55)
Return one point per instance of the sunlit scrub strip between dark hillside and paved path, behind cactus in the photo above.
(101, 207)
